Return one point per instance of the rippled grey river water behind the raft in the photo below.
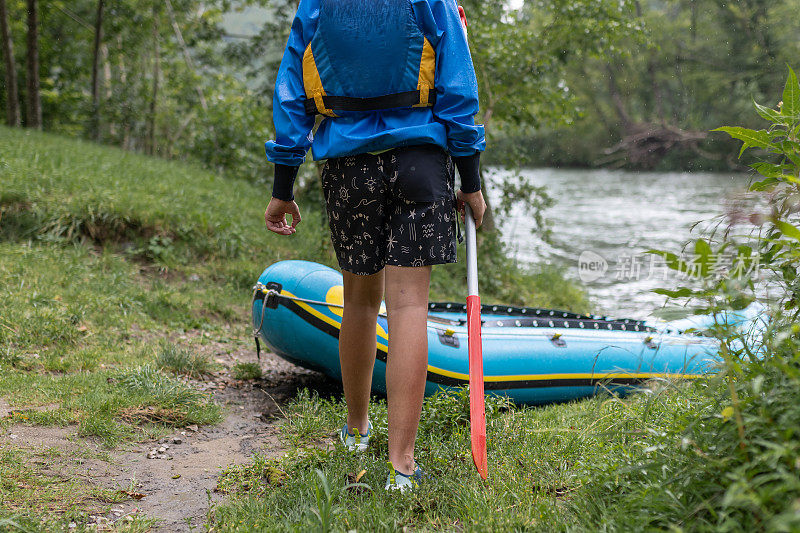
(604, 220)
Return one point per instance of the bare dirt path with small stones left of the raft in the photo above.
(178, 486)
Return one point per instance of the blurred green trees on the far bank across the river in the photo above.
(698, 65)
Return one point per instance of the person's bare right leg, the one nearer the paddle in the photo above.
(407, 307)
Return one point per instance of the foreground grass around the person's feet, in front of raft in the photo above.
(540, 459)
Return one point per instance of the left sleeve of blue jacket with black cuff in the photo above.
(292, 126)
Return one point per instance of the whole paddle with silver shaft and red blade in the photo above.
(477, 409)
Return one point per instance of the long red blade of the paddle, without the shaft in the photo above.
(477, 408)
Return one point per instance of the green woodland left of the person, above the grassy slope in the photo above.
(157, 94)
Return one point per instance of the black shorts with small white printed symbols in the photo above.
(395, 208)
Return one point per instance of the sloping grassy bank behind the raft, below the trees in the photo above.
(170, 216)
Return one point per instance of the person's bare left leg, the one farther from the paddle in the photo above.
(357, 343)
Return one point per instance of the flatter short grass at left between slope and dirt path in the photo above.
(69, 315)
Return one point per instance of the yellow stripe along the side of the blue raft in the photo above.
(529, 377)
